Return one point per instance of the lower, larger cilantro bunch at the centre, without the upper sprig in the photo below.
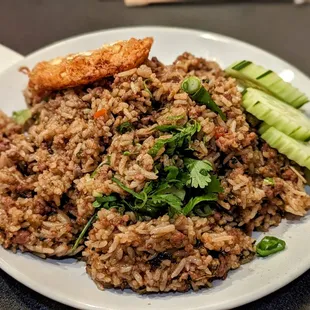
(191, 189)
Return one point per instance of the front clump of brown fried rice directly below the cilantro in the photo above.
(164, 254)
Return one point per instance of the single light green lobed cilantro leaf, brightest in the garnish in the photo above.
(198, 172)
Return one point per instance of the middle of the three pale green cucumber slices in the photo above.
(276, 113)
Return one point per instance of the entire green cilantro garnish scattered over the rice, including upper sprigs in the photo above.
(190, 189)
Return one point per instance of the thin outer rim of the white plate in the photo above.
(245, 298)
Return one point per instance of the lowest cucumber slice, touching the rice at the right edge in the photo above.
(297, 151)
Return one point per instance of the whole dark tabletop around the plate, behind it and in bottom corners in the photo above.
(277, 26)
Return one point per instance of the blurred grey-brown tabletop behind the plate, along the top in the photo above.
(279, 26)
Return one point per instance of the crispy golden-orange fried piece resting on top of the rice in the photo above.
(83, 68)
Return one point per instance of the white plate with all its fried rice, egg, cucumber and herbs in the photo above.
(154, 168)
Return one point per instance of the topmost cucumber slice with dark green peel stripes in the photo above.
(252, 75)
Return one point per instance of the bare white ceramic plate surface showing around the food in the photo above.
(66, 280)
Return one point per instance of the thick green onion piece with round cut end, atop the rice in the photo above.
(193, 86)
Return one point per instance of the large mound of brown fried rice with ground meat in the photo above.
(48, 185)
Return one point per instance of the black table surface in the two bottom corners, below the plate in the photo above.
(290, 296)
